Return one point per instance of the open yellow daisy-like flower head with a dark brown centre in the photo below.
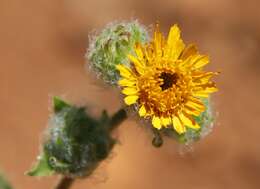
(166, 81)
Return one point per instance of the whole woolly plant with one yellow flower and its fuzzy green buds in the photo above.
(164, 82)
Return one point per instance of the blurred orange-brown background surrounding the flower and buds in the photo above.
(42, 46)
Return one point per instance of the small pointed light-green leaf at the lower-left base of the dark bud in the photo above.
(41, 168)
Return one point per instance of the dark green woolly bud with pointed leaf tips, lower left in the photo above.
(75, 142)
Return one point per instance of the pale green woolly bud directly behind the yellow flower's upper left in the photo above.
(112, 46)
